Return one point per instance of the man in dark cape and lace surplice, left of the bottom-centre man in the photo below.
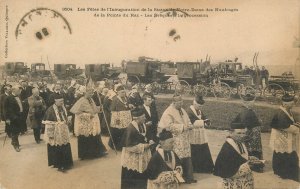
(136, 153)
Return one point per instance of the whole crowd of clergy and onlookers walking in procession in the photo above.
(157, 151)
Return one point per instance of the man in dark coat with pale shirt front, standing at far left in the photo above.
(14, 115)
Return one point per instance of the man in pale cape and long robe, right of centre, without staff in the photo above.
(176, 120)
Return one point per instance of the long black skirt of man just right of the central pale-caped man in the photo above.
(201, 158)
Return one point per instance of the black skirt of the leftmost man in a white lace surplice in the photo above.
(60, 156)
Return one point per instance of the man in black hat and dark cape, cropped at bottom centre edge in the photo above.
(164, 169)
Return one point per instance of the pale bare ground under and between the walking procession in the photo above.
(28, 169)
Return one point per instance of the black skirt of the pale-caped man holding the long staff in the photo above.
(90, 147)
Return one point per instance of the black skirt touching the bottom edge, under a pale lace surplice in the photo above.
(132, 179)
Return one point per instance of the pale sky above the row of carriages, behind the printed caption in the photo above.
(267, 26)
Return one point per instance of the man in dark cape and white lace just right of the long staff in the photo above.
(120, 117)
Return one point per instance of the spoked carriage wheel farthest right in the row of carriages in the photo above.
(273, 93)
